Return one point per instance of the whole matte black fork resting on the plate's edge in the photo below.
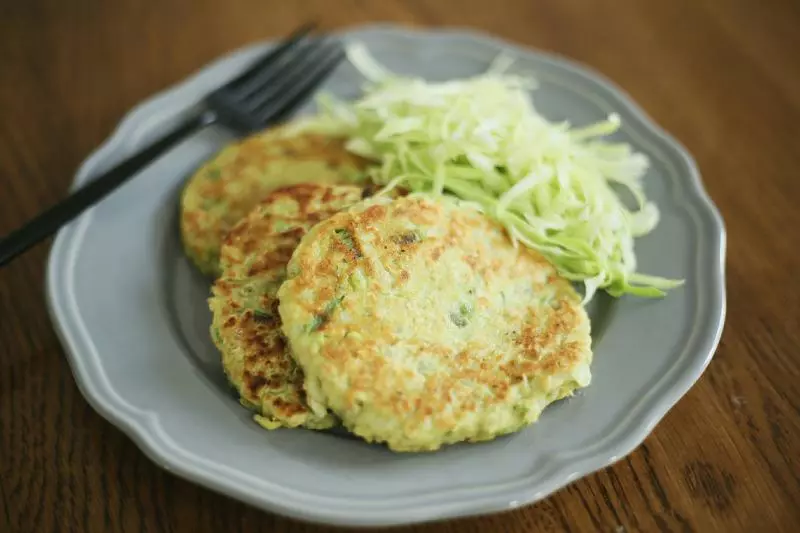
(267, 92)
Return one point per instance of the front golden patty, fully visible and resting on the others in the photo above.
(420, 324)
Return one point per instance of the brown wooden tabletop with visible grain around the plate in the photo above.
(722, 76)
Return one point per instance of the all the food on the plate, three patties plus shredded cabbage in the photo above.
(425, 319)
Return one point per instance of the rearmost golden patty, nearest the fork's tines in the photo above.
(227, 187)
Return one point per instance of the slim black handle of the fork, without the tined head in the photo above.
(49, 221)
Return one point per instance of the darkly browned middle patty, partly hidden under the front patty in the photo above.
(246, 324)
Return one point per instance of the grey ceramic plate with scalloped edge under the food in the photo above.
(132, 315)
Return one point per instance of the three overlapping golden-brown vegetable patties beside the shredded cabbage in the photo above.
(410, 320)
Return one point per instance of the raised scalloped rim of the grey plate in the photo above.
(142, 427)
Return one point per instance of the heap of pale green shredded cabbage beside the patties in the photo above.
(482, 140)
